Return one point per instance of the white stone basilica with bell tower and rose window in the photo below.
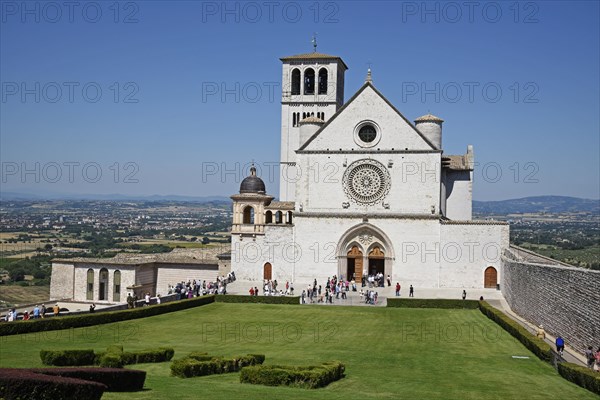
(363, 191)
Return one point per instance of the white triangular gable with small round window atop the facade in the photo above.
(394, 131)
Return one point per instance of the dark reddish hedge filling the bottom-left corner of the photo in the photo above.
(18, 384)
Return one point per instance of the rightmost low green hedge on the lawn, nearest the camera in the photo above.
(310, 377)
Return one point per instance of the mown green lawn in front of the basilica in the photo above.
(389, 353)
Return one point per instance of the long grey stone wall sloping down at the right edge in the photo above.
(566, 300)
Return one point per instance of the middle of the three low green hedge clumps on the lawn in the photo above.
(194, 365)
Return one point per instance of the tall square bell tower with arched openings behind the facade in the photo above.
(312, 86)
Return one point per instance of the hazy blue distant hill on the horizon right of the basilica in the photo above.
(537, 204)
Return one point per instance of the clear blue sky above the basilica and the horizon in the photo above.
(108, 97)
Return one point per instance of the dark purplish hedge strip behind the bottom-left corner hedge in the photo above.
(115, 379)
